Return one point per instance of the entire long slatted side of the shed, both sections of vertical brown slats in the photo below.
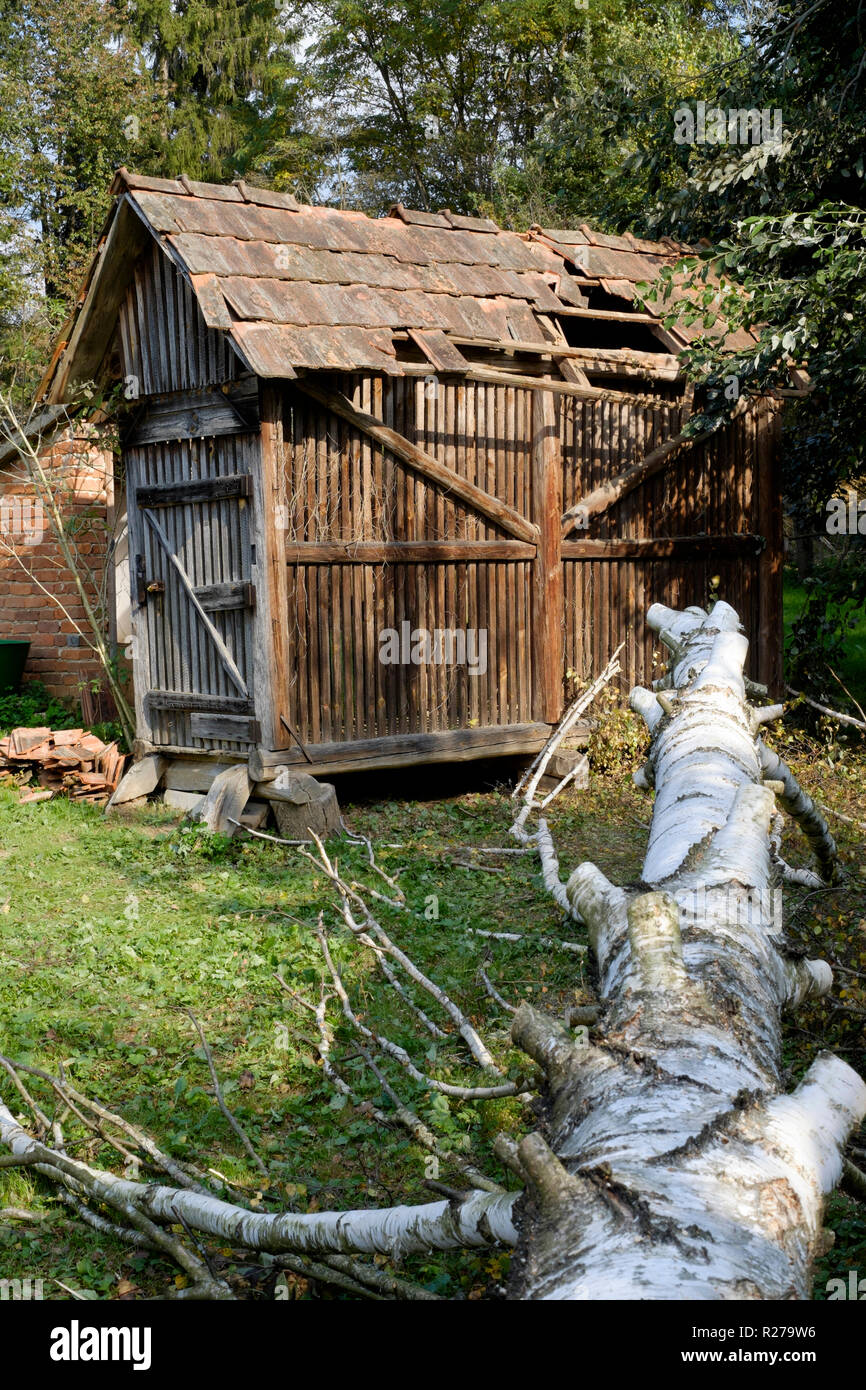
(341, 487)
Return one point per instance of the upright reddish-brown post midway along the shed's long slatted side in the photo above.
(548, 605)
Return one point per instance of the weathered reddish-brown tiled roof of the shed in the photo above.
(298, 287)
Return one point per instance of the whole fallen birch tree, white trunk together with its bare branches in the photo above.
(669, 1164)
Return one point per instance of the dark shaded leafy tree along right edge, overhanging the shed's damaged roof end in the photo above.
(785, 220)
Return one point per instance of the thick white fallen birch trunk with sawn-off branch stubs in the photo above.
(673, 1166)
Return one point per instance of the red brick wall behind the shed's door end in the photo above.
(83, 477)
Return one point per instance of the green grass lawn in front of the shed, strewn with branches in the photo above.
(112, 928)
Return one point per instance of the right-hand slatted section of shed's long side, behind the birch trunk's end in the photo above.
(707, 491)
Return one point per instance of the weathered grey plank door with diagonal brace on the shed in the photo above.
(193, 568)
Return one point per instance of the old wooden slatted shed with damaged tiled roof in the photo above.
(395, 484)
